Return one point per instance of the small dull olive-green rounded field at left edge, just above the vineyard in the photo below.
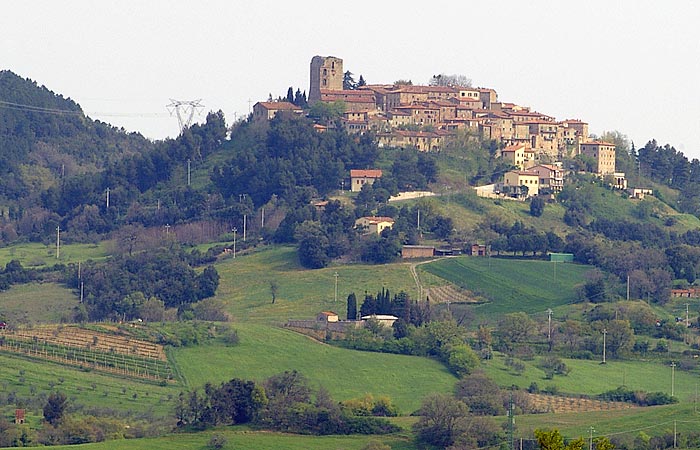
(37, 303)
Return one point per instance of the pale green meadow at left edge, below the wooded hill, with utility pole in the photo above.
(36, 254)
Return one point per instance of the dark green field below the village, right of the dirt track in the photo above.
(511, 284)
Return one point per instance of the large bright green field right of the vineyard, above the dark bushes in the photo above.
(265, 351)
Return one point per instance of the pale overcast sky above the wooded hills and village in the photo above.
(630, 66)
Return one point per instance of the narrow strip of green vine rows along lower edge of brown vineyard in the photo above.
(129, 365)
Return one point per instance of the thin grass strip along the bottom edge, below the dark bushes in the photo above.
(239, 438)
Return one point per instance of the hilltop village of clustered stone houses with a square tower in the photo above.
(427, 117)
